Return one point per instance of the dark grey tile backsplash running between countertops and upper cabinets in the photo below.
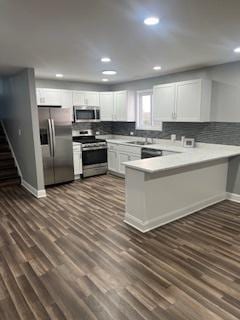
(208, 132)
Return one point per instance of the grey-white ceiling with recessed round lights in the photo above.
(71, 36)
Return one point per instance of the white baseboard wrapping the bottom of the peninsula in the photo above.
(145, 226)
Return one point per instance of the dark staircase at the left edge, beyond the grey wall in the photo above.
(8, 171)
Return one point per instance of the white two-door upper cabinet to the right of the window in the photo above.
(186, 101)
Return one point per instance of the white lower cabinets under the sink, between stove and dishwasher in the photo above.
(118, 154)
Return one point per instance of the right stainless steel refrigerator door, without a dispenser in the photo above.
(63, 149)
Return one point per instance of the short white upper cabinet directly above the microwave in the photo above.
(88, 98)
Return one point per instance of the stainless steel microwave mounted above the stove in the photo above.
(86, 114)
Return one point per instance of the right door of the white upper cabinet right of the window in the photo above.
(188, 100)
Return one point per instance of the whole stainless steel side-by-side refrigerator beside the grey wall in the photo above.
(56, 142)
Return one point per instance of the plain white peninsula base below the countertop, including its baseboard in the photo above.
(155, 199)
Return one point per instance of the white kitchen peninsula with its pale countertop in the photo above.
(163, 189)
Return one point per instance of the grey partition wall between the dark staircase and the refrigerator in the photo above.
(20, 113)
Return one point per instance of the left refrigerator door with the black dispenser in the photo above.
(46, 139)
